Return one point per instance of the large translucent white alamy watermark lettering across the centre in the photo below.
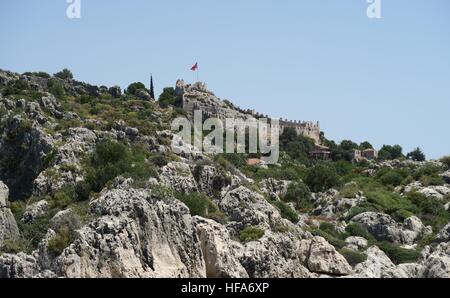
(241, 136)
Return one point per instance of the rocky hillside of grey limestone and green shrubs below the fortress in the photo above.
(91, 188)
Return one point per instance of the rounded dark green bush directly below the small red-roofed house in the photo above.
(321, 177)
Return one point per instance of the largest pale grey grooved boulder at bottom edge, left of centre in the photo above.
(135, 236)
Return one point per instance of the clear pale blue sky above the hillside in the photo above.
(384, 80)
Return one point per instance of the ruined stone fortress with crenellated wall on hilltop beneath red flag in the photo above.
(198, 97)
